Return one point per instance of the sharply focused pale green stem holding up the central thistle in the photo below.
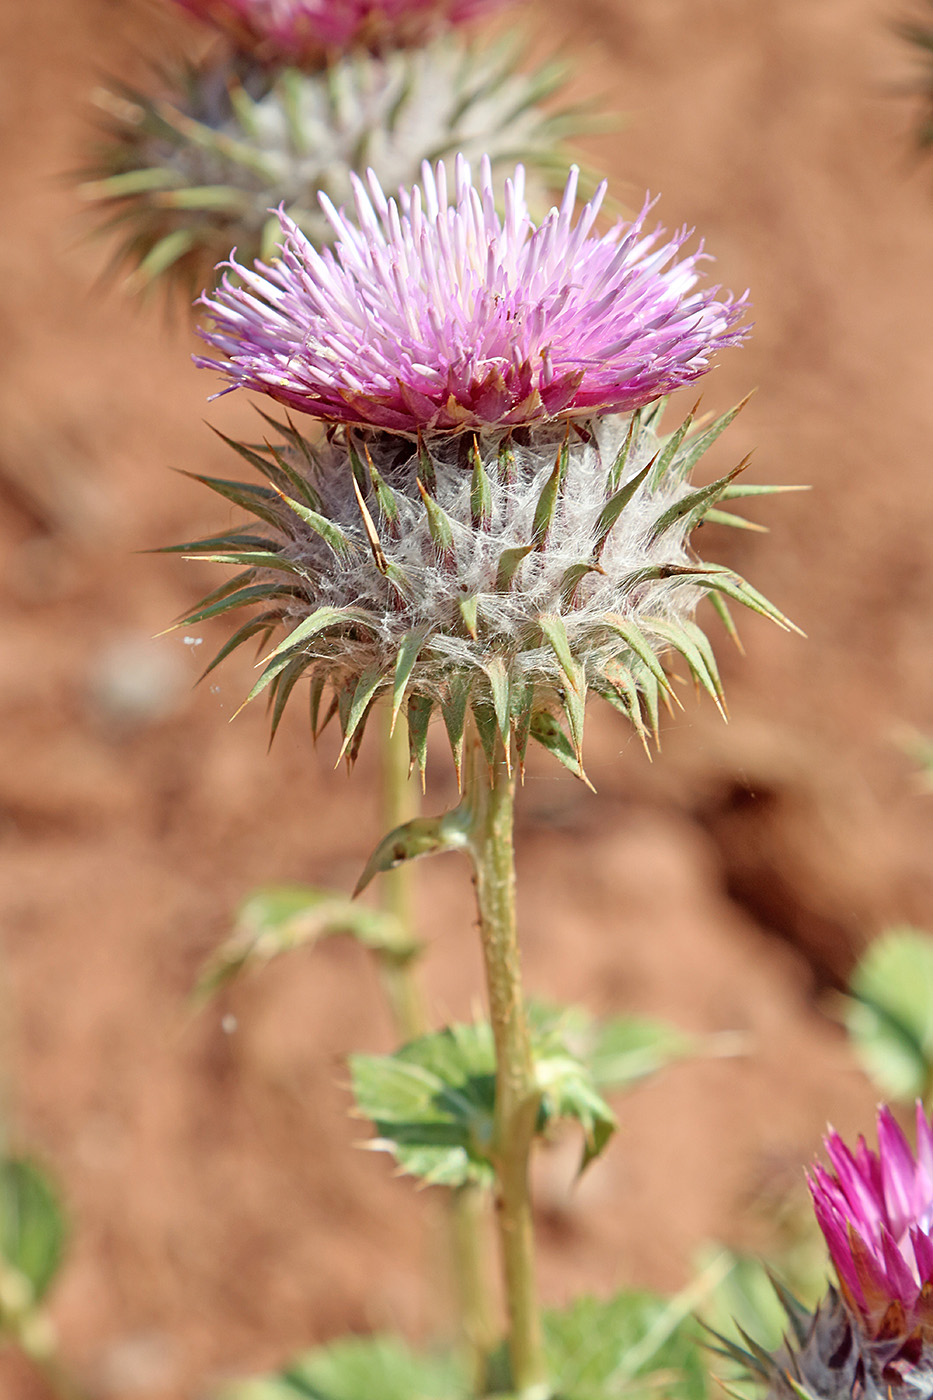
(491, 799)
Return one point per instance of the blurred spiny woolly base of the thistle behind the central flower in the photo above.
(187, 176)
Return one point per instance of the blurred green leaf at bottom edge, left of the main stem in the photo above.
(359, 1368)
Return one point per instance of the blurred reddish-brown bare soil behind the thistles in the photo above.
(222, 1219)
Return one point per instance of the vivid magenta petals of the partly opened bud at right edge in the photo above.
(876, 1213)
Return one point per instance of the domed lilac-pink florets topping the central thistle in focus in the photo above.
(436, 313)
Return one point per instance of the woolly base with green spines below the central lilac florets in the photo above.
(509, 575)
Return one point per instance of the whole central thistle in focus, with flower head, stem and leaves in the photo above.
(483, 523)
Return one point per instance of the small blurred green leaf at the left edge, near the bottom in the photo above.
(33, 1227)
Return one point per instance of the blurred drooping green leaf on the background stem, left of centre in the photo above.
(278, 919)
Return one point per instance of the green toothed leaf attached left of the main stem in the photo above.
(432, 1104)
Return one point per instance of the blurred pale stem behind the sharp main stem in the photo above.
(403, 989)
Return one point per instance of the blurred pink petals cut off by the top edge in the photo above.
(299, 30)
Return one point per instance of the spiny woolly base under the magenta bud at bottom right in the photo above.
(829, 1356)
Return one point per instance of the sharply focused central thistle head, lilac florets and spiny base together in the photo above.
(491, 521)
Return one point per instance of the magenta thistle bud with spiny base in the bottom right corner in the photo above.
(871, 1339)
